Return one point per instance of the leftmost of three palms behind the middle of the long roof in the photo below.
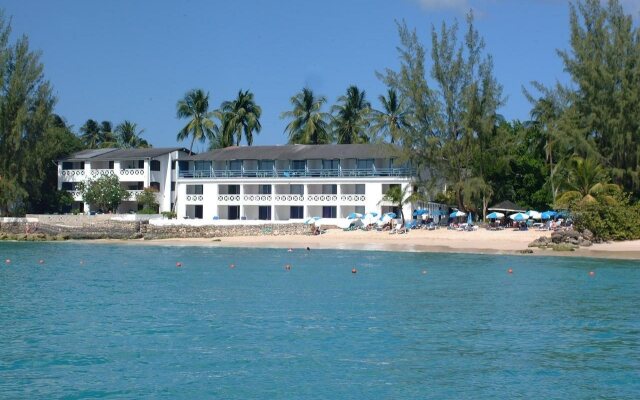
(308, 124)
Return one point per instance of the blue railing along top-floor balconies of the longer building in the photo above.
(293, 173)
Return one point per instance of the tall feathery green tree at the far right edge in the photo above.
(604, 64)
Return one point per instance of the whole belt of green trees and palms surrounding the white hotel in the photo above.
(579, 151)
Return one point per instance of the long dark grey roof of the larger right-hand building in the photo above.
(300, 152)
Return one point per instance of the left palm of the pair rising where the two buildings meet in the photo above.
(195, 107)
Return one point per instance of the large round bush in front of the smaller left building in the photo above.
(103, 193)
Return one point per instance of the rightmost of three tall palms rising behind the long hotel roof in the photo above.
(393, 119)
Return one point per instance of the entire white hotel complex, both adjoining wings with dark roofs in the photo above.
(270, 183)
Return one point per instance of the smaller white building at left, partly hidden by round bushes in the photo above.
(135, 168)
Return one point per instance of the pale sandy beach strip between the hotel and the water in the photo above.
(441, 240)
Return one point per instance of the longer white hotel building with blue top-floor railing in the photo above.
(289, 182)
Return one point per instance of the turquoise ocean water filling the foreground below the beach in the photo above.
(122, 321)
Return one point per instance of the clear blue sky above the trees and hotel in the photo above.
(133, 60)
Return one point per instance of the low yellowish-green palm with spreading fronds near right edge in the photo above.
(586, 182)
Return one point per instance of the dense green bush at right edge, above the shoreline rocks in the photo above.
(613, 220)
